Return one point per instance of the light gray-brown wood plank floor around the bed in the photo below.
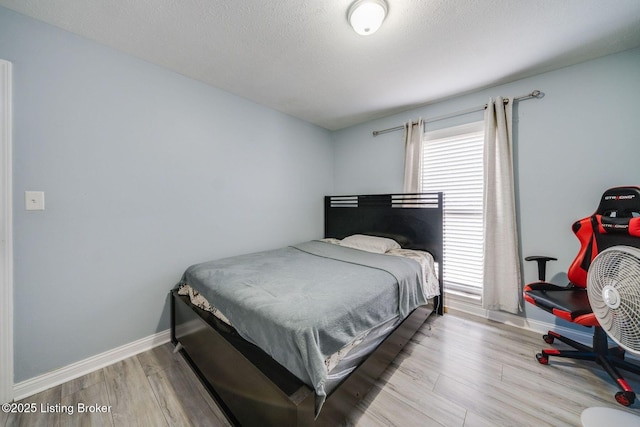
(458, 371)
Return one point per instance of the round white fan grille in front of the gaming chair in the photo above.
(613, 286)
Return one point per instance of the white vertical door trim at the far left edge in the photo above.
(6, 236)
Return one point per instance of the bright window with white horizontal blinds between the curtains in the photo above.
(452, 162)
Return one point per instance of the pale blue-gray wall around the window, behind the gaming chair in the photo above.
(570, 146)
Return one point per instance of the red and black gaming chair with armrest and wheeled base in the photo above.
(615, 222)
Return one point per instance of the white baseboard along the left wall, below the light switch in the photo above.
(75, 370)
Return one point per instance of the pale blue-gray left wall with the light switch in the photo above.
(145, 172)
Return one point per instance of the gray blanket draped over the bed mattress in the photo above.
(303, 303)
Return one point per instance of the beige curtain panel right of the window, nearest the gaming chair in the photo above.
(501, 287)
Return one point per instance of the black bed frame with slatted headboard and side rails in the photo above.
(251, 387)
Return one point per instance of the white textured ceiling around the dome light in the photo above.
(301, 57)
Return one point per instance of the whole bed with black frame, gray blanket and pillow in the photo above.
(237, 361)
